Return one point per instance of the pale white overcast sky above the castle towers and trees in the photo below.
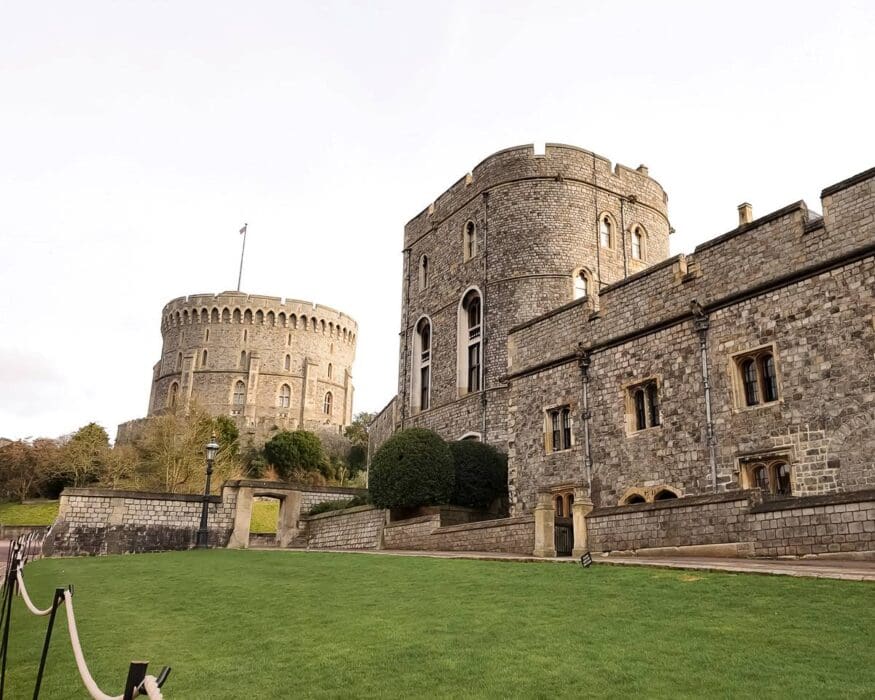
(137, 137)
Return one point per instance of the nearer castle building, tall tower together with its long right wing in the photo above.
(541, 312)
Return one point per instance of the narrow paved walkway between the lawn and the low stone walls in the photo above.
(815, 568)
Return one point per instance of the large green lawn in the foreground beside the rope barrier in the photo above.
(297, 624)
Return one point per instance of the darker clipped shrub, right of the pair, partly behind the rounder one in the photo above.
(481, 473)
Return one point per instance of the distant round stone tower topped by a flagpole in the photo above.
(265, 361)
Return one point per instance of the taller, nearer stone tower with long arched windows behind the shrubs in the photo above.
(522, 234)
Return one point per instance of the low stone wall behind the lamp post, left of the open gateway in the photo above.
(101, 521)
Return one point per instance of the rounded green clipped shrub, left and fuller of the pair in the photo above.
(412, 468)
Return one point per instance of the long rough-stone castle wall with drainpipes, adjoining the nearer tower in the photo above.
(813, 311)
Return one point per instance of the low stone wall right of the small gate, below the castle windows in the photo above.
(838, 523)
